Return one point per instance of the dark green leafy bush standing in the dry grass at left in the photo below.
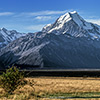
(11, 79)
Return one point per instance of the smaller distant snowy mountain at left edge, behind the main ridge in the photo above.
(8, 36)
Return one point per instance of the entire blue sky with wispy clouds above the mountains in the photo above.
(32, 15)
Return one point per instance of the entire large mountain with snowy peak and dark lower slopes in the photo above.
(71, 42)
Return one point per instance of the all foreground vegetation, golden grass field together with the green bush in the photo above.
(14, 86)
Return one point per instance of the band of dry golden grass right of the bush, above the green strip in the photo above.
(66, 84)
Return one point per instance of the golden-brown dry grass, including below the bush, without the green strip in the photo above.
(55, 85)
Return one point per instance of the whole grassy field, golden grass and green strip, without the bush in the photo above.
(46, 88)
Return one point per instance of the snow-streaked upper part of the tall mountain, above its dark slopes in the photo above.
(73, 24)
